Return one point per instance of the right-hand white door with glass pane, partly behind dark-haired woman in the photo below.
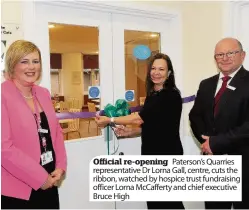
(130, 67)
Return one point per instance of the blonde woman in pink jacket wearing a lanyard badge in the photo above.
(32, 150)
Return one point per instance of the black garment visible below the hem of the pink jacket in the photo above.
(40, 199)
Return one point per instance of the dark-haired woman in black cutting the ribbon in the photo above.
(159, 117)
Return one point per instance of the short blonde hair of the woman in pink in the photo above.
(16, 51)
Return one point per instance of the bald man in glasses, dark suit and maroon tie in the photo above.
(220, 116)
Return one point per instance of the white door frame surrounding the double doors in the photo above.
(136, 9)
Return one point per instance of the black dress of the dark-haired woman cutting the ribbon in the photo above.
(160, 131)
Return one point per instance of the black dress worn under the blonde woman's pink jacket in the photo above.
(40, 199)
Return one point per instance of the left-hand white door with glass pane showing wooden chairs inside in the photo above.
(76, 47)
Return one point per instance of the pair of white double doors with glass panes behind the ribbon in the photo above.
(88, 48)
